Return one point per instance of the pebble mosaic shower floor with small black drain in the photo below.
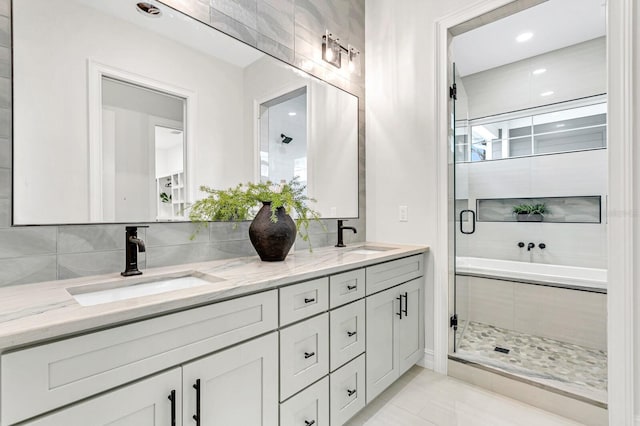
(571, 370)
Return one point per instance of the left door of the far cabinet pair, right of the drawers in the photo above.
(382, 329)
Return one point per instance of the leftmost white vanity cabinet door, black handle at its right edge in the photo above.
(144, 403)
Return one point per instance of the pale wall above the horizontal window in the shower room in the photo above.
(573, 72)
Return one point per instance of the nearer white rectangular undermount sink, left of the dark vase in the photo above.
(129, 288)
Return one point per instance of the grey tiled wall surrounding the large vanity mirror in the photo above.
(288, 29)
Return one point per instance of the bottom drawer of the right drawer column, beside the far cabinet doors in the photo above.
(347, 388)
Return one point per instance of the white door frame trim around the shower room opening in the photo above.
(623, 229)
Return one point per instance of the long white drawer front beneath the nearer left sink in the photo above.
(41, 378)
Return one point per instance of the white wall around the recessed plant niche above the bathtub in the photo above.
(559, 175)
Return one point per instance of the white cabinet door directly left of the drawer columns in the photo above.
(238, 386)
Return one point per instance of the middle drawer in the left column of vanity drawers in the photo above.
(304, 354)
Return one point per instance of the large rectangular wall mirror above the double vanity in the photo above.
(121, 115)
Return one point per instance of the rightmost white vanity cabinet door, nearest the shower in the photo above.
(411, 326)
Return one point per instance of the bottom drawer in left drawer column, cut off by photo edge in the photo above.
(309, 407)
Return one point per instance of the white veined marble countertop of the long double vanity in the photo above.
(43, 311)
